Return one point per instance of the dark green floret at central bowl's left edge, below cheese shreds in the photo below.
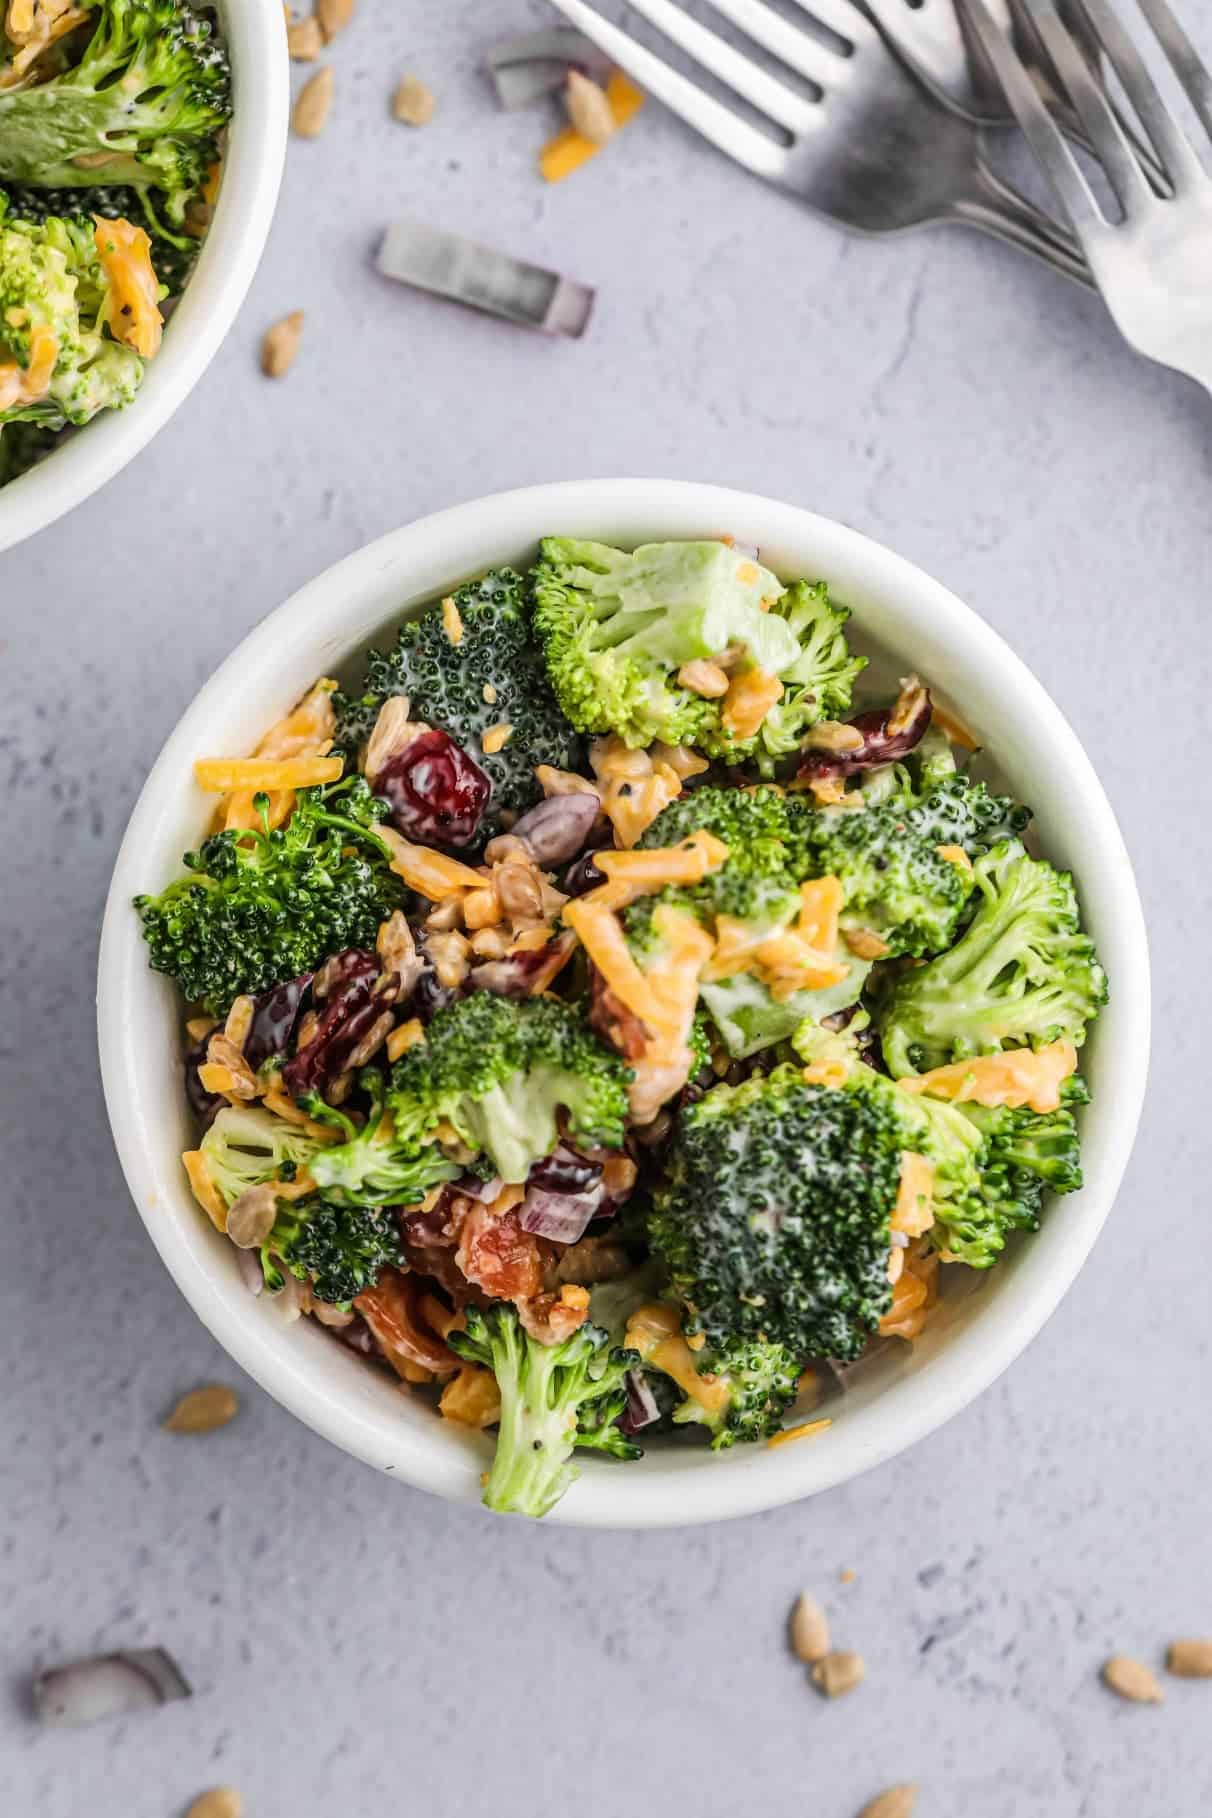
(263, 906)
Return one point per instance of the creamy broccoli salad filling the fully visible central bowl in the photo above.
(597, 1023)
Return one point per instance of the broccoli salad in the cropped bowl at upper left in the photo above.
(112, 128)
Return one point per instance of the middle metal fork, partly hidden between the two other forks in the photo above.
(933, 39)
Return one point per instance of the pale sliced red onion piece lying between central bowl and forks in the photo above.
(484, 279)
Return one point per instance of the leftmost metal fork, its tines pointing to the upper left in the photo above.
(877, 152)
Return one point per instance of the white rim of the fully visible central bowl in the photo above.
(908, 1410)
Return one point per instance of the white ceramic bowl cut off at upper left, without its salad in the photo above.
(255, 34)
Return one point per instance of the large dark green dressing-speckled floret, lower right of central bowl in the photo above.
(775, 1214)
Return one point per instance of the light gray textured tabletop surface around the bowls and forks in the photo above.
(355, 1644)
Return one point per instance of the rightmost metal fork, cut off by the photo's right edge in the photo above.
(1155, 266)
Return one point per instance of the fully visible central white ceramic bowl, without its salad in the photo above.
(899, 612)
